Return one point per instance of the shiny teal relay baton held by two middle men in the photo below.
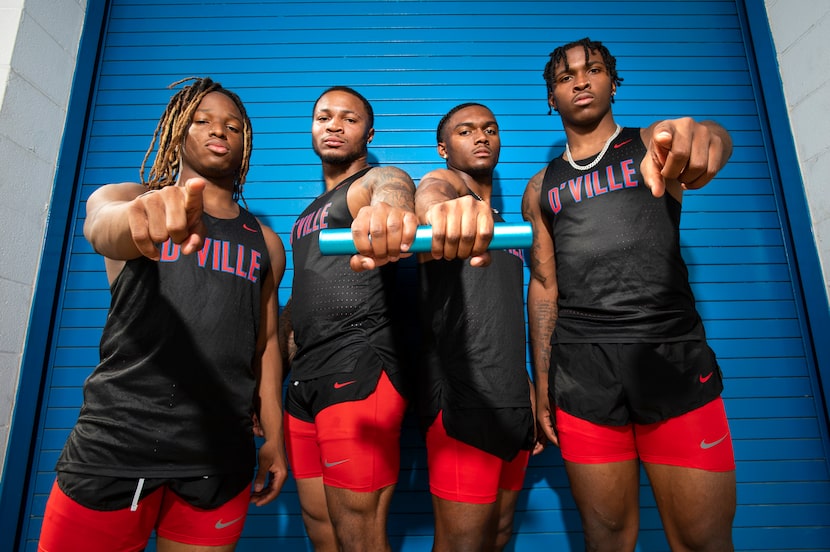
(338, 241)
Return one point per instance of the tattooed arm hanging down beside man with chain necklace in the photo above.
(542, 310)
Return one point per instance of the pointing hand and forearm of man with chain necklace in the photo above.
(683, 154)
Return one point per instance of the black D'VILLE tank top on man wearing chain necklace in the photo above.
(619, 269)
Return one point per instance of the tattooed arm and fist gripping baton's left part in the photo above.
(383, 205)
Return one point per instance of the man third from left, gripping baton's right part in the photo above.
(474, 393)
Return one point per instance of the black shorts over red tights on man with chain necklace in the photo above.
(643, 383)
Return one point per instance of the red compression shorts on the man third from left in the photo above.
(463, 473)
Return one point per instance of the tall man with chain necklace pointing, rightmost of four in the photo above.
(623, 370)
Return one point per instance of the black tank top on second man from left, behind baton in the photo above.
(337, 314)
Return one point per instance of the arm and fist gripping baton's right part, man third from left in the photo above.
(462, 226)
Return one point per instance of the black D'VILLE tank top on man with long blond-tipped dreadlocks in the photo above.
(172, 395)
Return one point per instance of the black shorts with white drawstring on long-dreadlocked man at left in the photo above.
(103, 493)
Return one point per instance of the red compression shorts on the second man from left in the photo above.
(353, 445)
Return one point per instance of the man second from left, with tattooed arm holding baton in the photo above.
(345, 400)
